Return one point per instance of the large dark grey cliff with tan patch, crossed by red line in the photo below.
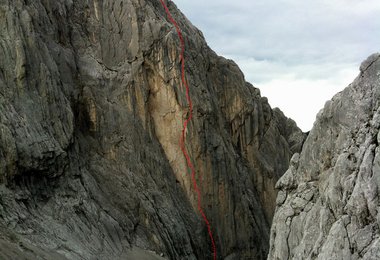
(91, 109)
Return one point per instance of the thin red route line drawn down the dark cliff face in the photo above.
(188, 119)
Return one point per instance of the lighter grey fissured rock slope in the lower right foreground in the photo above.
(328, 205)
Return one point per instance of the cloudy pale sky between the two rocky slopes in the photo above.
(298, 52)
